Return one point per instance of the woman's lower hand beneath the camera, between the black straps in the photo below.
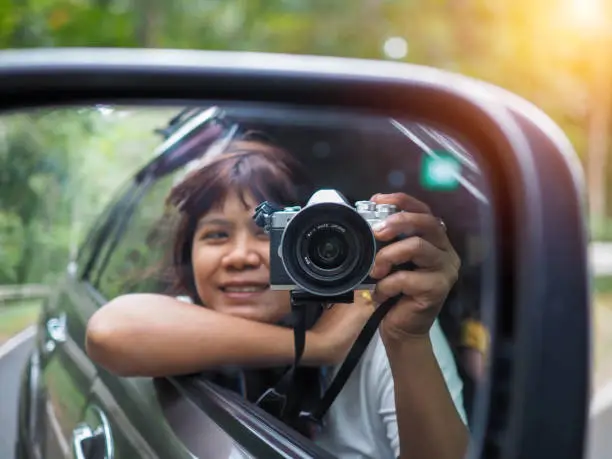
(338, 328)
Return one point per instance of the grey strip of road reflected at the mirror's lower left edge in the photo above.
(11, 364)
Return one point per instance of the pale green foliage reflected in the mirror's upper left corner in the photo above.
(58, 169)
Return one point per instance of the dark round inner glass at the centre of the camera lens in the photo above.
(327, 248)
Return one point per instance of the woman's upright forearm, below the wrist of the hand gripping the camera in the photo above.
(428, 422)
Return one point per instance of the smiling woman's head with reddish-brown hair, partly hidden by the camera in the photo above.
(216, 203)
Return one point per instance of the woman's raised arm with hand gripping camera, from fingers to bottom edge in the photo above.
(429, 424)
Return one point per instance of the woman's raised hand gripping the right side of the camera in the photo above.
(423, 290)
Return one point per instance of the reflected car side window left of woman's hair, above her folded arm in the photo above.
(138, 250)
